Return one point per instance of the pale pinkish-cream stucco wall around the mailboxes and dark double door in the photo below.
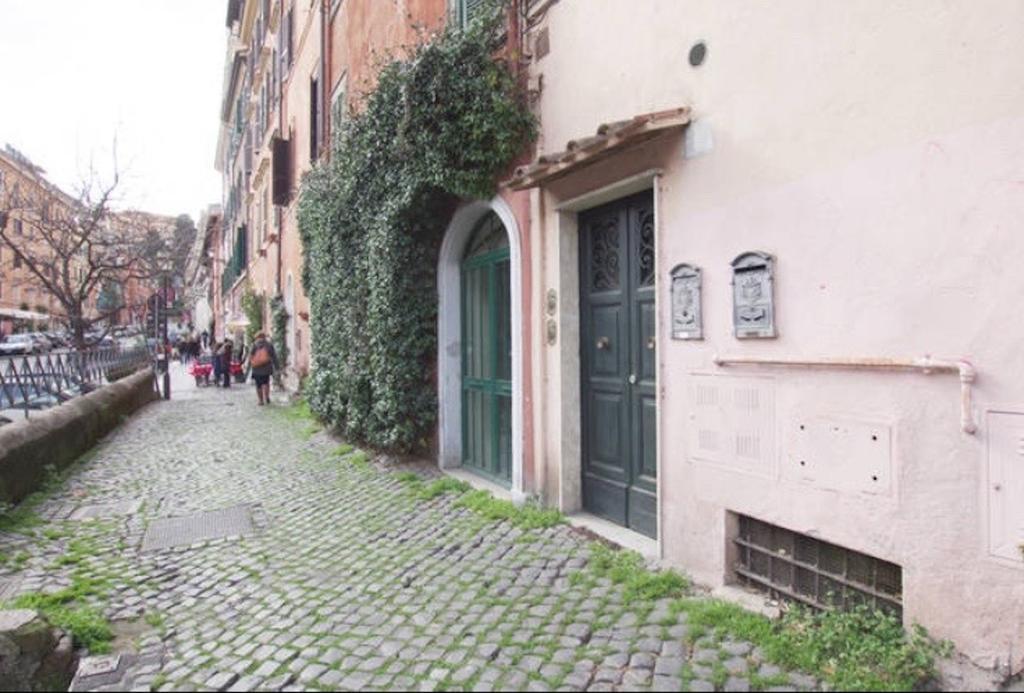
(877, 151)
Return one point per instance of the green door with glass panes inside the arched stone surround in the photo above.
(487, 356)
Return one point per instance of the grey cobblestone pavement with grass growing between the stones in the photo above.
(330, 575)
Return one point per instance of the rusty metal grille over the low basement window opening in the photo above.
(796, 568)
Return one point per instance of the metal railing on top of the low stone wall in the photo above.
(38, 382)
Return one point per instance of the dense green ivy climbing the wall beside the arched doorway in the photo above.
(440, 127)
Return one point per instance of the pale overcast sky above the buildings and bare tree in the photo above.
(76, 74)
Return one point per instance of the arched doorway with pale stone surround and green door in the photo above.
(480, 350)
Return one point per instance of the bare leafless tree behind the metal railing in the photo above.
(74, 248)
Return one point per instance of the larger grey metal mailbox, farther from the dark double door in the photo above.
(753, 296)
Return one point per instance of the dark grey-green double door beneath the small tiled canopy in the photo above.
(619, 363)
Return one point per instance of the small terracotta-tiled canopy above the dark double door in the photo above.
(611, 139)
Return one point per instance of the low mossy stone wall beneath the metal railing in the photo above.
(61, 436)
